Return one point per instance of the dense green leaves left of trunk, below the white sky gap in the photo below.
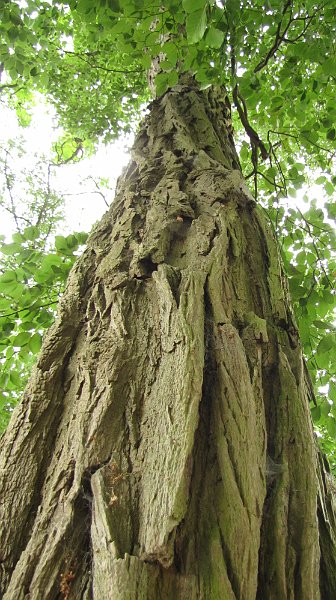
(32, 279)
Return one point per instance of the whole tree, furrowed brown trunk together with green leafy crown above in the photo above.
(164, 445)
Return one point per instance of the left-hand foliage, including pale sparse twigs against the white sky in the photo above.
(34, 268)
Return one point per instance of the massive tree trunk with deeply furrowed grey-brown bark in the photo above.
(164, 448)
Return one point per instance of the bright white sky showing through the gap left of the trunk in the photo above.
(83, 205)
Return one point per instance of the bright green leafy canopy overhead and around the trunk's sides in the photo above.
(277, 61)
